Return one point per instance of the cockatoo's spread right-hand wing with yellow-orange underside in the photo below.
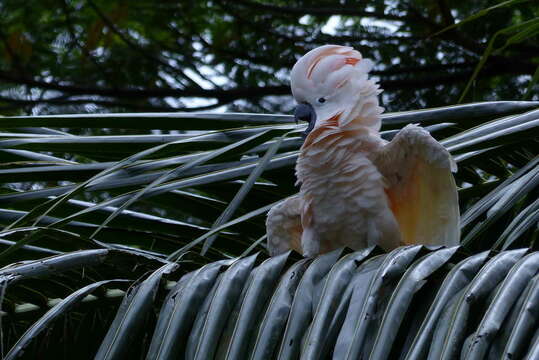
(420, 187)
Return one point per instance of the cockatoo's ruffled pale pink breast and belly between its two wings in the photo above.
(343, 195)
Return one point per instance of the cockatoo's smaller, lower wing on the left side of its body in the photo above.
(283, 226)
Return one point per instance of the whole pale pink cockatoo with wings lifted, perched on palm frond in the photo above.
(356, 189)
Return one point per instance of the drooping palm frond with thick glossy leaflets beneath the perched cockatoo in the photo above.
(414, 303)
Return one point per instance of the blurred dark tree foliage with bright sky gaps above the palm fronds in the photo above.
(73, 56)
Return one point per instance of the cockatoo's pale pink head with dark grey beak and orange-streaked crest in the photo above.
(331, 87)
